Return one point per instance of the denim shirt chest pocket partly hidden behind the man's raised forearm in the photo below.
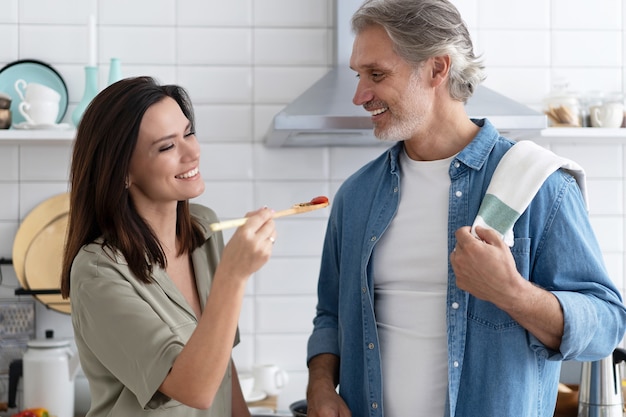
(485, 314)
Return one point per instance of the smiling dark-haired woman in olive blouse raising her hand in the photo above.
(155, 295)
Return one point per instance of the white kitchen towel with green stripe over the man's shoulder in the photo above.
(517, 178)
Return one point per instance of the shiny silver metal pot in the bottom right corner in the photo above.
(601, 387)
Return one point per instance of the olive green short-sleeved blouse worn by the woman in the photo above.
(128, 333)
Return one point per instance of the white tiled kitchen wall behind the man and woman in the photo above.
(242, 61)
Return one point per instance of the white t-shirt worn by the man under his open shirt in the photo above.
(410, 286)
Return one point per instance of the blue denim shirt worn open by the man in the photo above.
(495, 366)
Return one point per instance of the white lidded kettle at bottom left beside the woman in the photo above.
(49, 371)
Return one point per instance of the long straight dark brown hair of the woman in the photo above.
(100, 204)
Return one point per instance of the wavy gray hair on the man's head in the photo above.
(422, 29)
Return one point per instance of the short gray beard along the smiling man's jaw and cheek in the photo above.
(404, 121)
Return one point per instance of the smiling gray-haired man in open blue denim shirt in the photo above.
(416, 316)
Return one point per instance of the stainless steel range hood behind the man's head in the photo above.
(325, 116)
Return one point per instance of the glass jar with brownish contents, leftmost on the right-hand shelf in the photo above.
(563, 107)
